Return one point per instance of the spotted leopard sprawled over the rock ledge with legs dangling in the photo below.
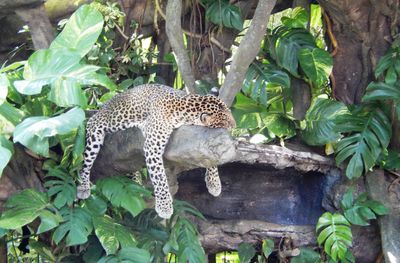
(157, 110)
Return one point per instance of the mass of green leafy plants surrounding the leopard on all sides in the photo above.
(43, 102)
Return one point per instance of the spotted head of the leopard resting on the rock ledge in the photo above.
(210, 111)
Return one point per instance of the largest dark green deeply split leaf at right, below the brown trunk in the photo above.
(370, 133)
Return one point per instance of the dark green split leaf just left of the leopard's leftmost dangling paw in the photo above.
(61, 186)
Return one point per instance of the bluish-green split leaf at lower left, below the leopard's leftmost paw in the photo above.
(76, 227)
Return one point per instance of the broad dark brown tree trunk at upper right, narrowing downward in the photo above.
(362, 31)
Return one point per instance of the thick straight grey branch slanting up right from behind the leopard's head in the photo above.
(247, 51)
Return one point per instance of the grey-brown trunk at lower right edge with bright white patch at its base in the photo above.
(380, 189)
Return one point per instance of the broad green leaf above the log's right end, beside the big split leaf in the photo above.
(320, 121)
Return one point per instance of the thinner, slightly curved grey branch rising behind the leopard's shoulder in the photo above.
(174, 33)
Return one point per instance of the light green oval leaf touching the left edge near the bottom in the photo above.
(22, 208)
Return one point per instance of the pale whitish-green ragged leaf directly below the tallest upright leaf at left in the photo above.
(46, 66)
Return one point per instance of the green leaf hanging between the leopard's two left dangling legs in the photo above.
(122, 192)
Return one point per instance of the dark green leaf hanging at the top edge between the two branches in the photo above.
(223, 13)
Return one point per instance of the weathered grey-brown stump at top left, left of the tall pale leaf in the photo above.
(39, 25)
